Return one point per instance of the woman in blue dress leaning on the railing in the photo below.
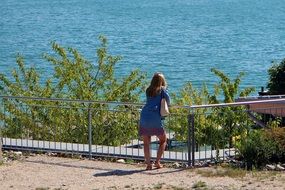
(151, 120)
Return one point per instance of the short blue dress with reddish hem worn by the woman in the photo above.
(150, 119)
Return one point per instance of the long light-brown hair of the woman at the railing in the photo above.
(157, 82)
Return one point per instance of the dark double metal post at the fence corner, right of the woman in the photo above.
(191, 140)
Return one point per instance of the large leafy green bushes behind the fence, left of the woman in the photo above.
(74, 78)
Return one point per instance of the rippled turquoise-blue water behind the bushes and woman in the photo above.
(184, 39)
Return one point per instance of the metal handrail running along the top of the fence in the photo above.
(141, 104)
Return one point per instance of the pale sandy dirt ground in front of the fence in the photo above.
(44, 172)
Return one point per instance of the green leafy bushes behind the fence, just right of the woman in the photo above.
(213, 126)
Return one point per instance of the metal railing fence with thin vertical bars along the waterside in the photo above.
(94, 128)
